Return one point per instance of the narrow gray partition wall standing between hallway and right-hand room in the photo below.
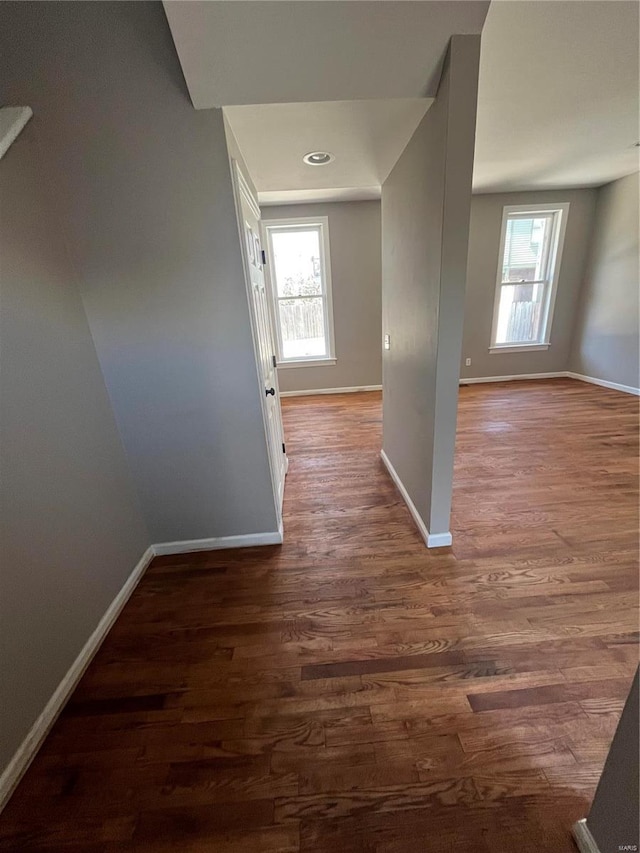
(425, 221)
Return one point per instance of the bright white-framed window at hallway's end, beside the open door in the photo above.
(300, 284)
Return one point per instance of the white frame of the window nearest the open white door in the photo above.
(321, 223)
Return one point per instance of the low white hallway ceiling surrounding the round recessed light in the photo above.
(366, 138)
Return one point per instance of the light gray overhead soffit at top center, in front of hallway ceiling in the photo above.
(321, 50)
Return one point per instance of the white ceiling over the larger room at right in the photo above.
(558, 95)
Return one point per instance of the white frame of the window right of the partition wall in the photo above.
(560, 212)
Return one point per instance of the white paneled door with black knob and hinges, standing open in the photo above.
(263, 333)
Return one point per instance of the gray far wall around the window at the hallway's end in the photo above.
(354, 236)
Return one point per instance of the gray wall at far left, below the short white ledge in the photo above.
(71, 526)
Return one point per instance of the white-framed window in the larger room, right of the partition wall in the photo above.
(530, 252)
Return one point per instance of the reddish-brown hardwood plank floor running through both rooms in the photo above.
(352, 691)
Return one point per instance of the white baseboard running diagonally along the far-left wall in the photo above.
(29, 747)
